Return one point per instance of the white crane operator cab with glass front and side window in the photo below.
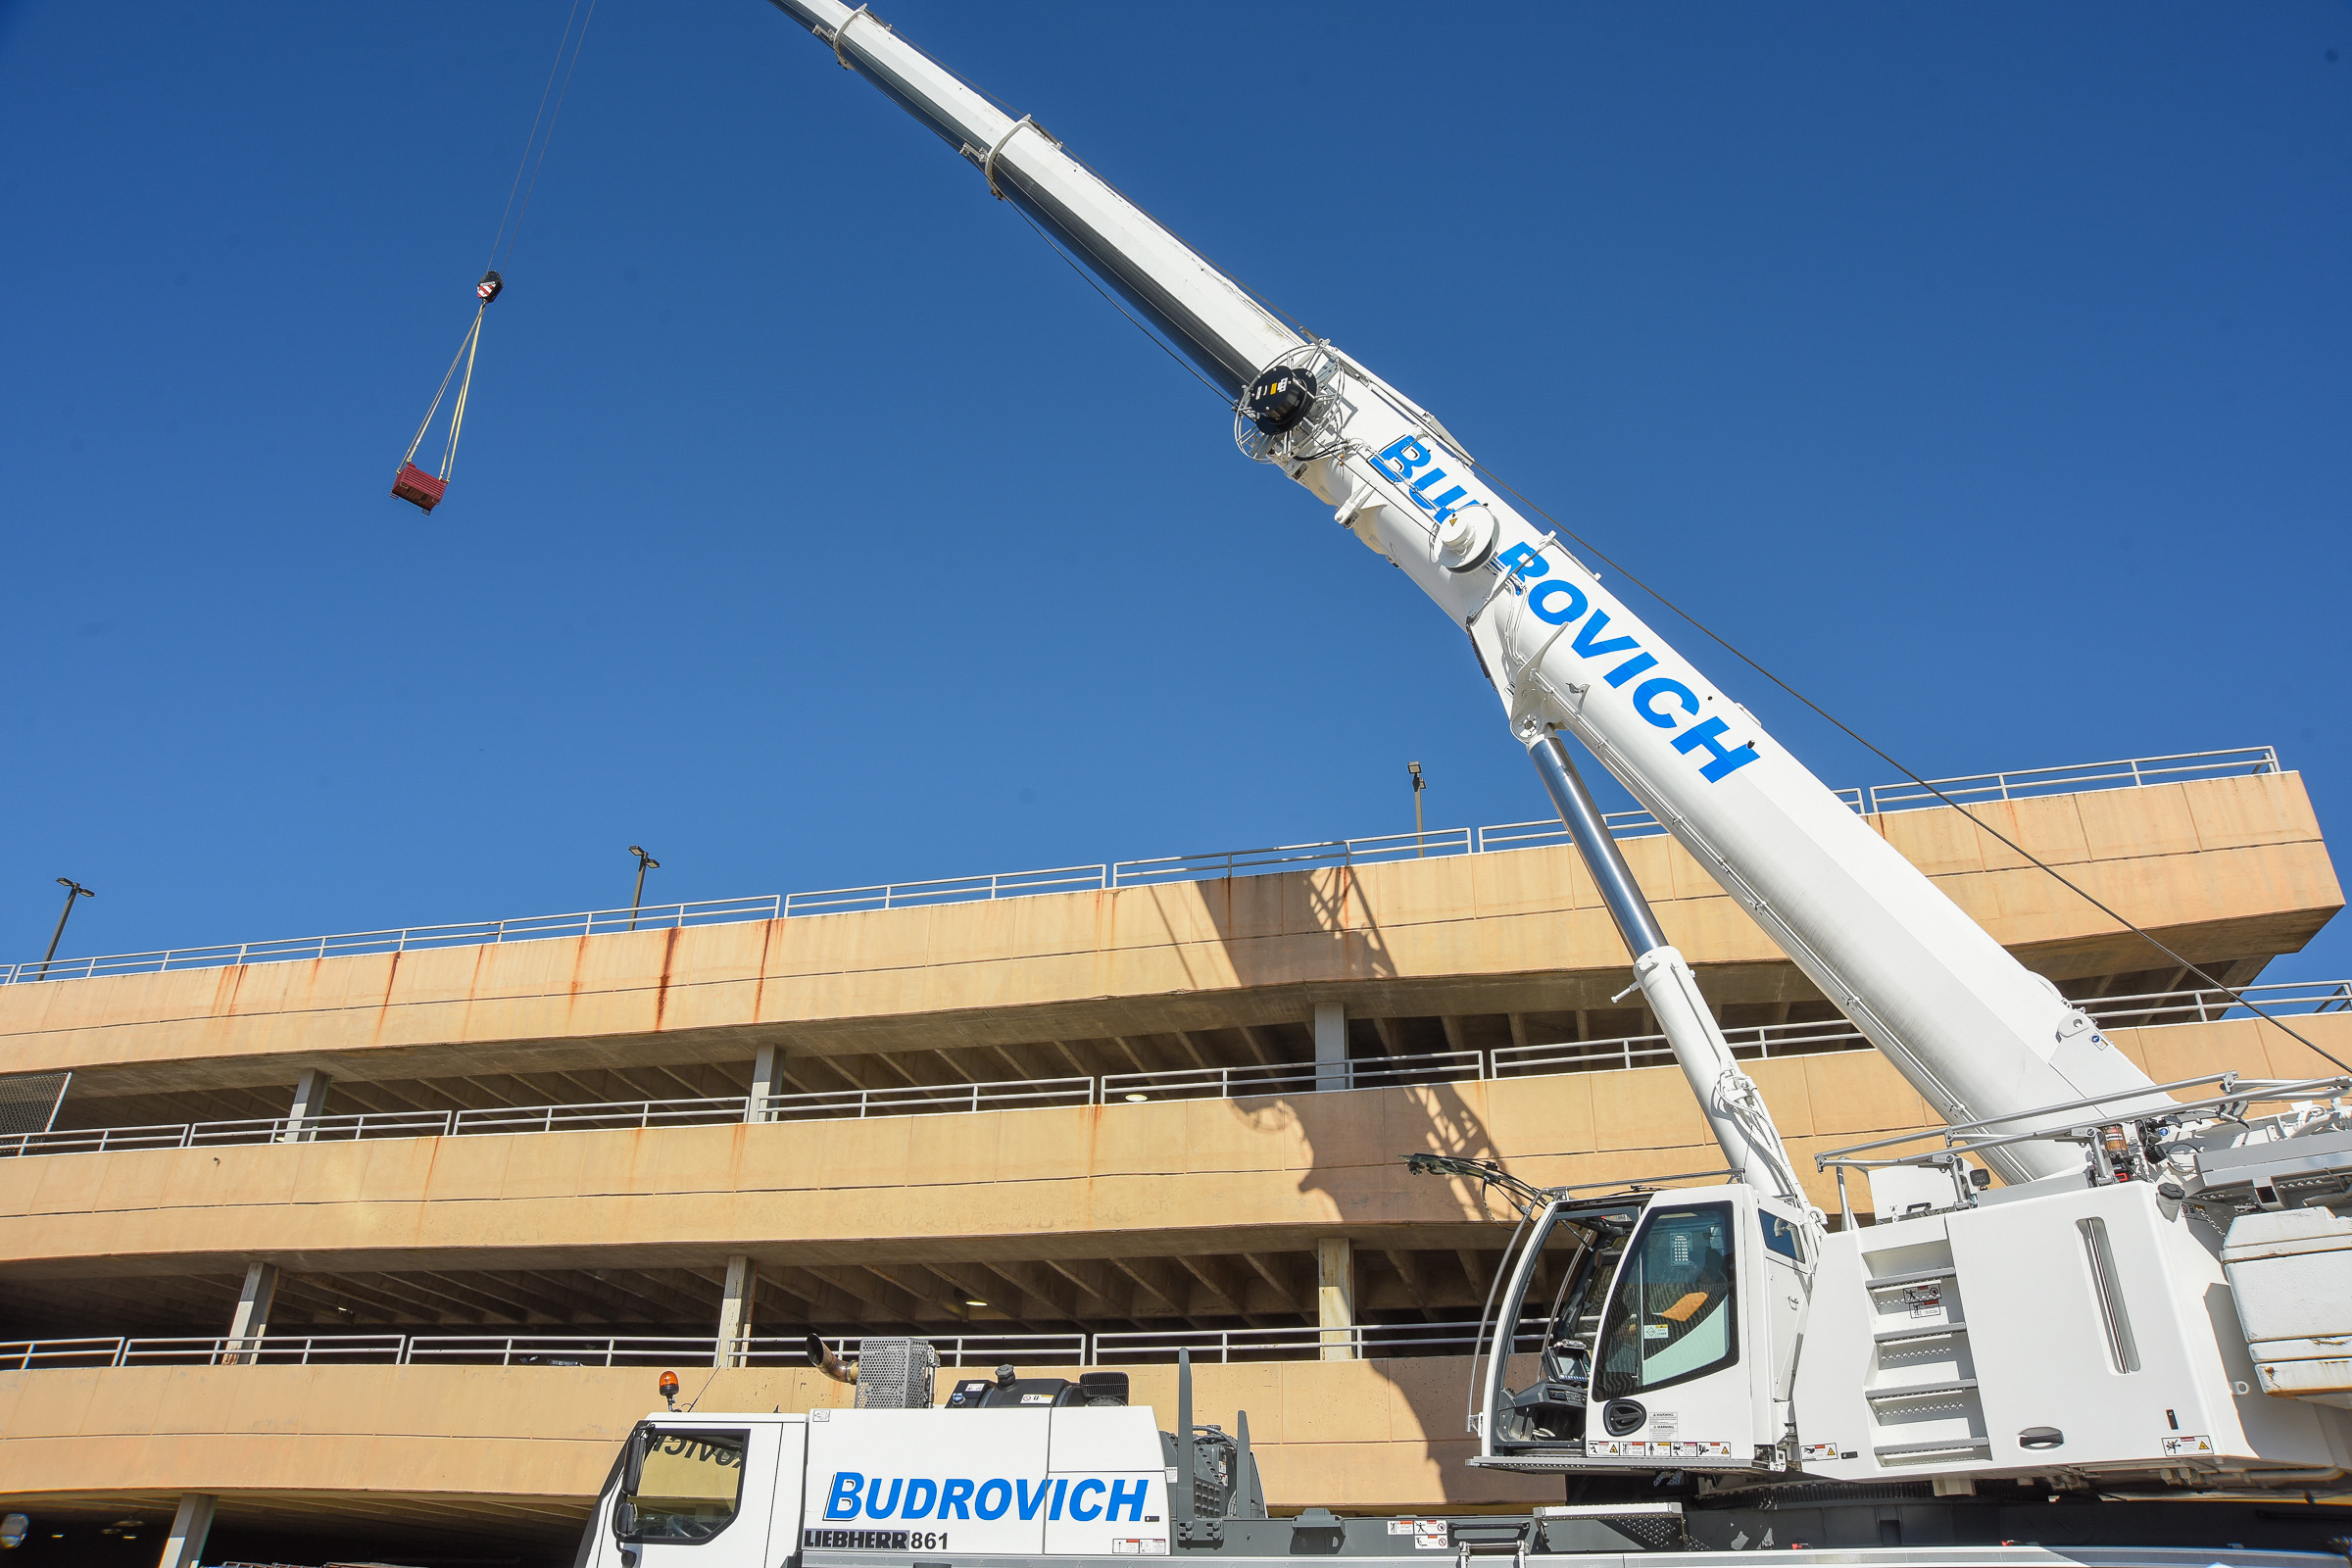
(1664, 1332)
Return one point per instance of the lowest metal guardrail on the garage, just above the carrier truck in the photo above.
(751, 1351)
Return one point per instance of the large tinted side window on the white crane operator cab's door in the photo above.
(1671, 1315)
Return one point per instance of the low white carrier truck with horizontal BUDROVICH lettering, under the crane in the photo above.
(982, 1489)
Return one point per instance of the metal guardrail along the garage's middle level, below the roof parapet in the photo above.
(1758, 1043)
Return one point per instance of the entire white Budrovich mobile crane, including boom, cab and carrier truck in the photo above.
(2153, 1301)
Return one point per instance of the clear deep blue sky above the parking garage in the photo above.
(1984, 368)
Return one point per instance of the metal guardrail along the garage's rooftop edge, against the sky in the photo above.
(2132, 772)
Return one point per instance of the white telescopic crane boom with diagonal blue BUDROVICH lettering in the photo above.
(1967, 1026)
